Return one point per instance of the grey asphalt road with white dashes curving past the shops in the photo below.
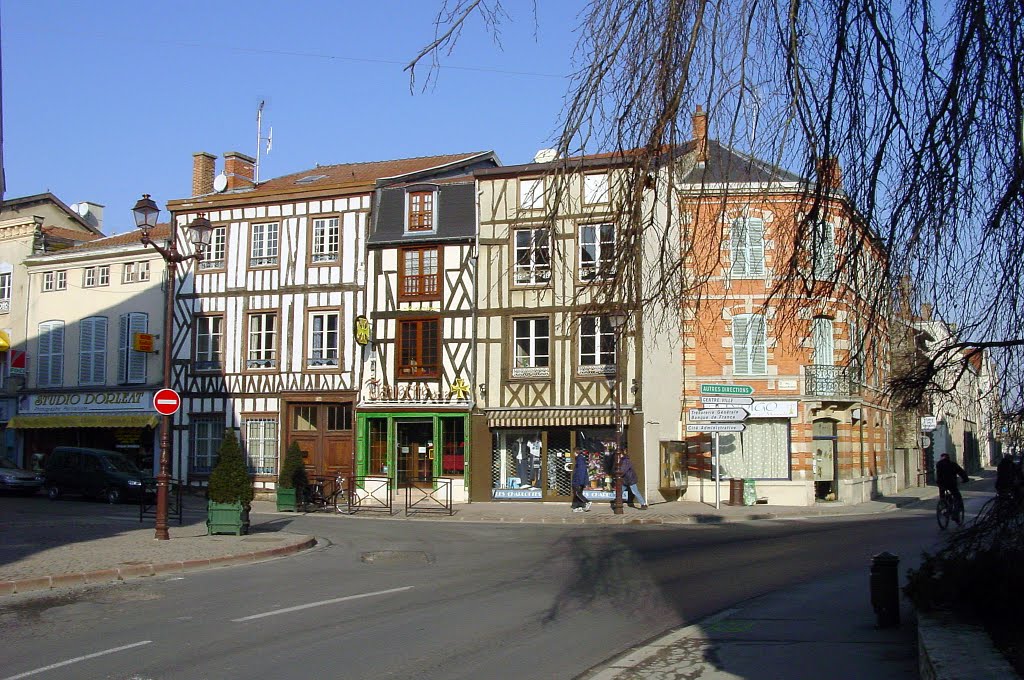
(386, 600)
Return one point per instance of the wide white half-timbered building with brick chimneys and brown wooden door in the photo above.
(265, 325)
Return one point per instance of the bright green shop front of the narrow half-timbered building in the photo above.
(415, 448)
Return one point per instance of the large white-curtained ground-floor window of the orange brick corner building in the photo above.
(760, 452)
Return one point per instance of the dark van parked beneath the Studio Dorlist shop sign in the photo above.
(94, 474)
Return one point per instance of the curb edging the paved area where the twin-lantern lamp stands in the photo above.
(141, 571)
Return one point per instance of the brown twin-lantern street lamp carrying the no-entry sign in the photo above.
(146, 212)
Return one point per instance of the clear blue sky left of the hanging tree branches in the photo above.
(104, 102)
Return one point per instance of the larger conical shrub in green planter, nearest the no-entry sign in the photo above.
(231, 492)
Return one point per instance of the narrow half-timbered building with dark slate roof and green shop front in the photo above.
(413, 419)
